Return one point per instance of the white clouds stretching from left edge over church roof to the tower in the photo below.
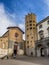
(6, 20)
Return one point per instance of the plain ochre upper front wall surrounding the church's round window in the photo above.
(12, 37)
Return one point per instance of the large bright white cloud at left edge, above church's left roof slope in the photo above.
(5, 21)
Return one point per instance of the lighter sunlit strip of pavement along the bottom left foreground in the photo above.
(15, 62)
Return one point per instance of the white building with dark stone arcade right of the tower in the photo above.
(42, 44)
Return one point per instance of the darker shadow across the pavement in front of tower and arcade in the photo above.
(36, 60)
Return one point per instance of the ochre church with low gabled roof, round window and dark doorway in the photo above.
(12, 41)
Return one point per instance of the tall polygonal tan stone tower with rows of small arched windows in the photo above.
(30, 33)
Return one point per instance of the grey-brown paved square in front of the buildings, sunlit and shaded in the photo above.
(25, 60)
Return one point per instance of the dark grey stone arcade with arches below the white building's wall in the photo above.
(42, 47)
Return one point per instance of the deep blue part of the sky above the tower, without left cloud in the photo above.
(22, 7)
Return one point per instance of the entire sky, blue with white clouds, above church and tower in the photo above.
(13, 12)
